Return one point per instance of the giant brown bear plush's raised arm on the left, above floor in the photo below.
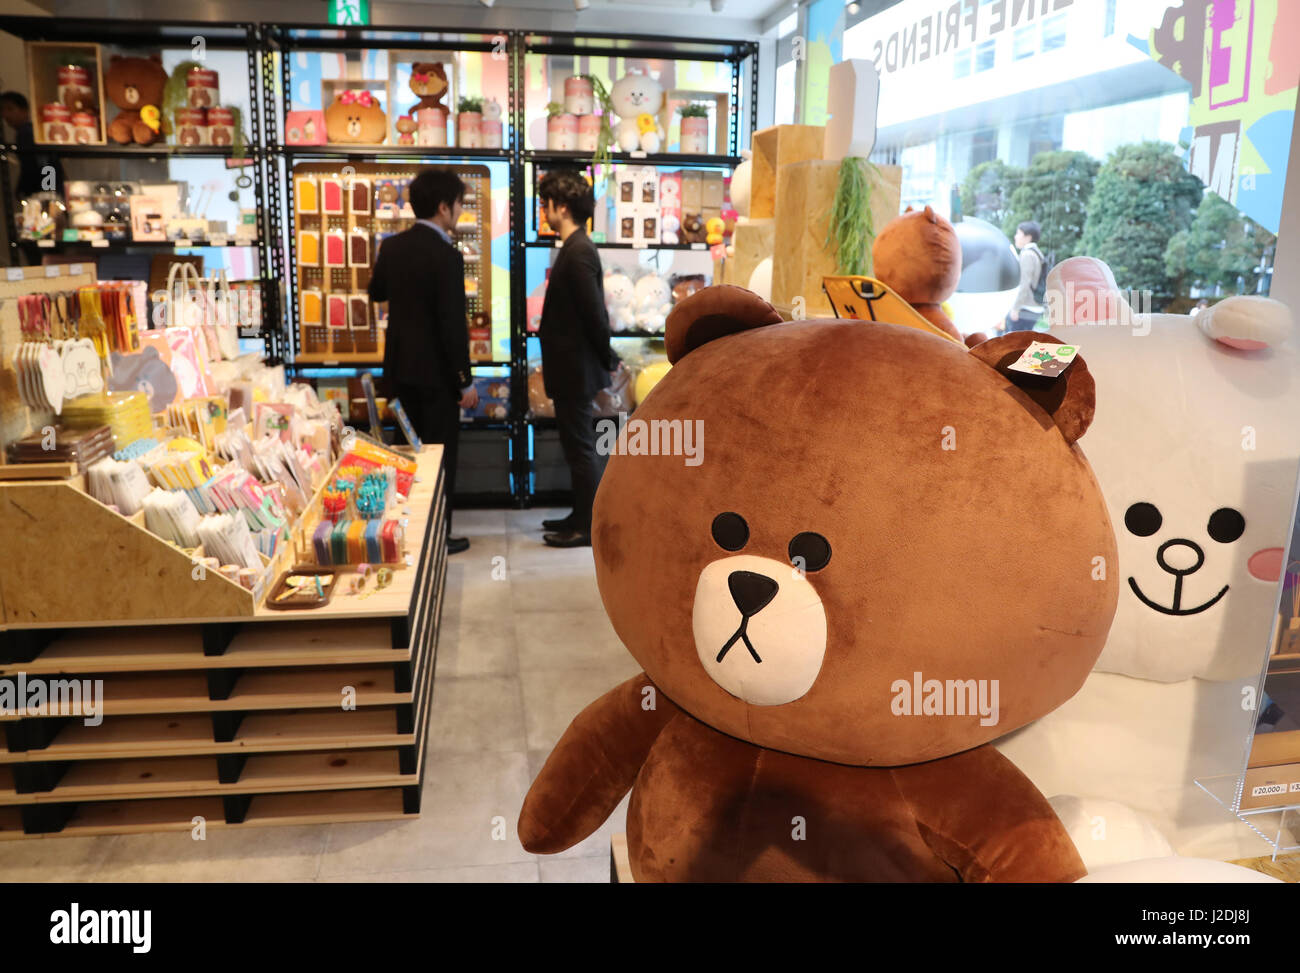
(593, 766)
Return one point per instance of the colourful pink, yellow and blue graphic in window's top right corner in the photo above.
(1242, 59)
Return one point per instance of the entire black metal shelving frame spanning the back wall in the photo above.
(268, 49)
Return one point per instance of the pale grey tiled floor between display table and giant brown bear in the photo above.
(525, 647)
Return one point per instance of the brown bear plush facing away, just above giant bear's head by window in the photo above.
(920, 257)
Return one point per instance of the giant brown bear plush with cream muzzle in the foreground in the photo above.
(831, 630)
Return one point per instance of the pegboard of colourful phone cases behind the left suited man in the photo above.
(340, 223)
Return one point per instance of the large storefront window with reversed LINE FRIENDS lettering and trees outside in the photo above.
(1152, 103)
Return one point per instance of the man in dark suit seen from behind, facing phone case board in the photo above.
(422, 274)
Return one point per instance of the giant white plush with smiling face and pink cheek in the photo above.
(1197, 447)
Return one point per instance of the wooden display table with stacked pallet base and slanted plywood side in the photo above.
(237, 715)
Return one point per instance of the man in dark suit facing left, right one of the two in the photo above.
(577, 354)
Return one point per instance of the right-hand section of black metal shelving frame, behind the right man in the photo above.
(743, 58)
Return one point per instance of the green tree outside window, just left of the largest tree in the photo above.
(1055, 192)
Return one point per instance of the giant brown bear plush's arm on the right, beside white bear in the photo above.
(982, 816)
